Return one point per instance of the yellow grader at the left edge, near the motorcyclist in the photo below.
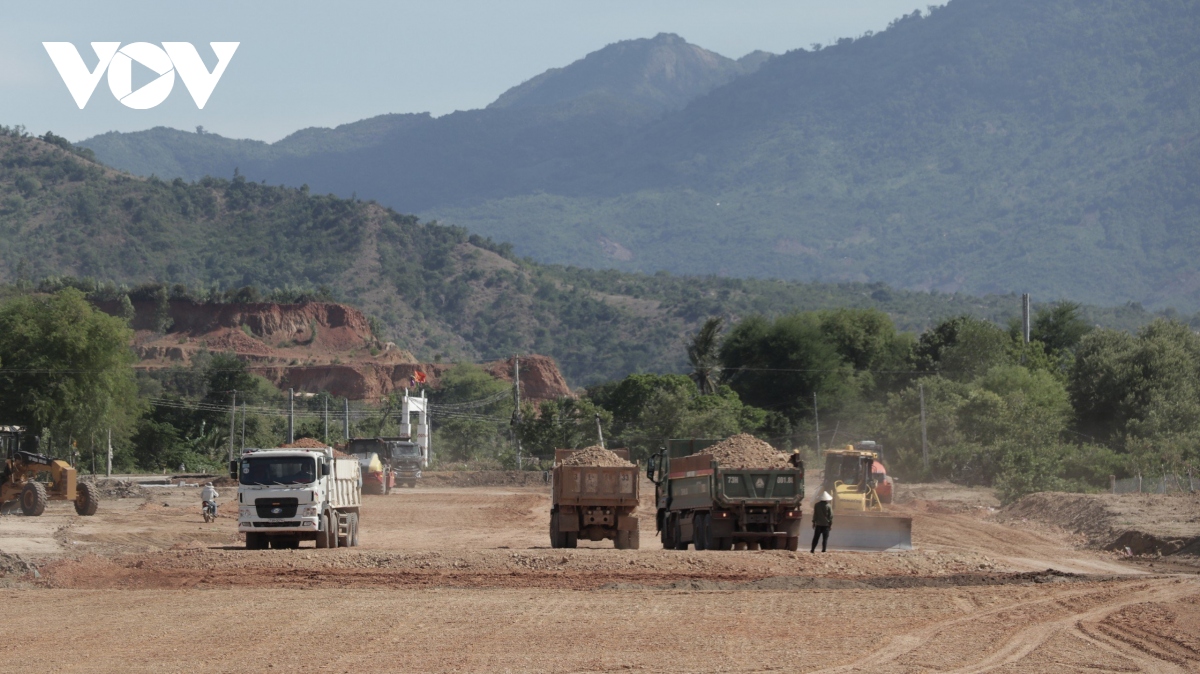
(20, 479)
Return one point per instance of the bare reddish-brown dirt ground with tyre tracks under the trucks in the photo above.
(463, 580)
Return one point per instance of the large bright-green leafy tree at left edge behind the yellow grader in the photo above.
(68, 369)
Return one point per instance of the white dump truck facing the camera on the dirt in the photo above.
(287, 496)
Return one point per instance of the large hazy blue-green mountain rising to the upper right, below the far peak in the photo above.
(986, 147)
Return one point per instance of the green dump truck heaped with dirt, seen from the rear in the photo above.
(718, 509)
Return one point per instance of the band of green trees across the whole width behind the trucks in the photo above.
(1064, 412)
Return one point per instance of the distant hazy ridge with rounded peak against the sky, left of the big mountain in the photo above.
(555, 116)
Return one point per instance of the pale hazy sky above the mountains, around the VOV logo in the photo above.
(325, 64)
